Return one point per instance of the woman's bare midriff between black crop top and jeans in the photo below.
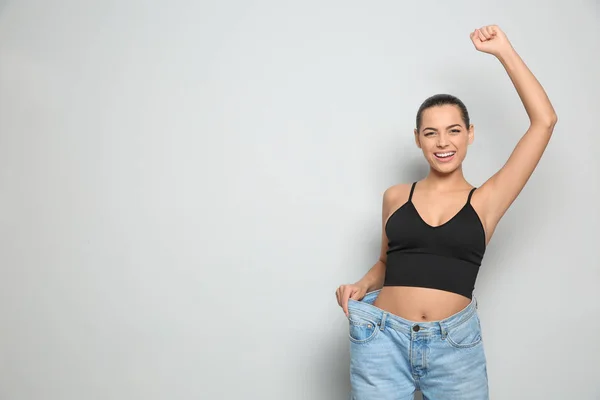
(420, 304)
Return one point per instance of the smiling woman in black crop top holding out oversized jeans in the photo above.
(413, 319)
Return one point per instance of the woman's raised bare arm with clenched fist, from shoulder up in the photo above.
(499, 191)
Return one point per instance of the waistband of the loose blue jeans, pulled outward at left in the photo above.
(366, 309)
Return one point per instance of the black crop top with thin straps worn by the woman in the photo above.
(445, 257)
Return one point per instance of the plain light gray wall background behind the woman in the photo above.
(183, 185)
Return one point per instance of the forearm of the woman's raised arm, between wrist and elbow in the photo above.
(532, 94)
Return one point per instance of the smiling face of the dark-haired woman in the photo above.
(443, 137)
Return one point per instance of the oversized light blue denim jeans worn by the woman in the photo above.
(391, 357)
